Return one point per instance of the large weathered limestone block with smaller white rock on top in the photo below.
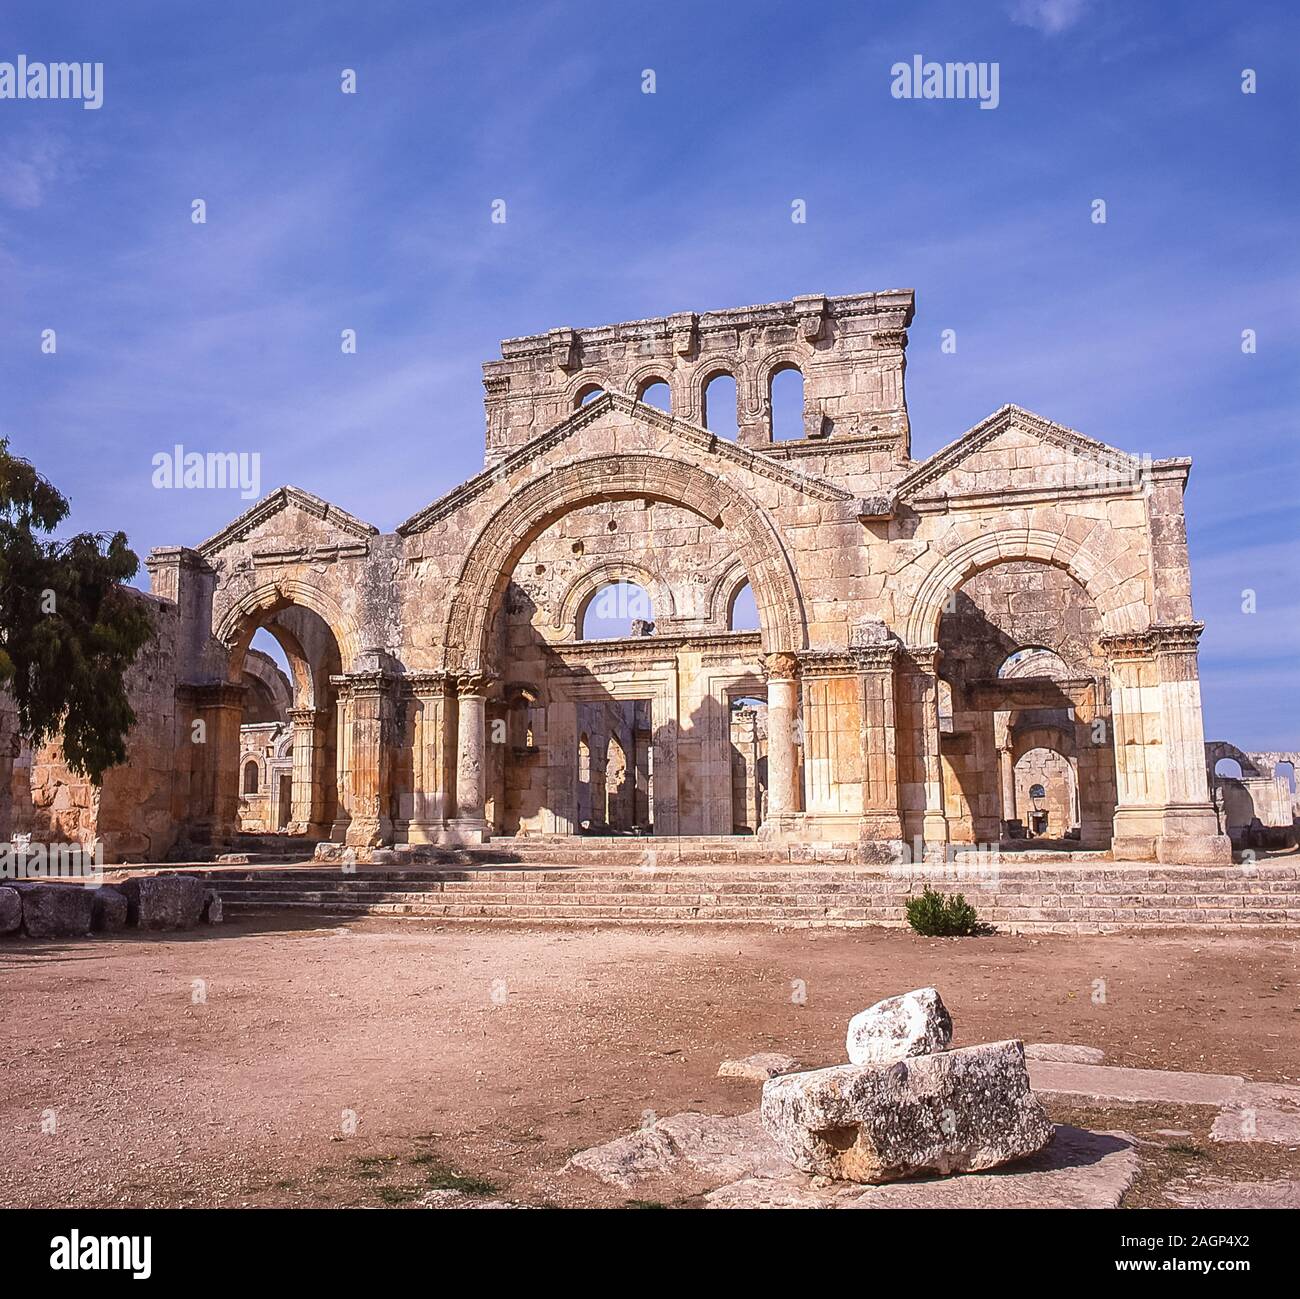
(955, 1112)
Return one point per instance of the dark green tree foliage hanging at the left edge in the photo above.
(70, 630)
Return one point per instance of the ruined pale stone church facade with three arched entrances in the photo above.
(993, 643)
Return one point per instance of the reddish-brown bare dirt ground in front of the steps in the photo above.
(222, 1068)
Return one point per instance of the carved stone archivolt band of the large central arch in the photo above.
(534, 508)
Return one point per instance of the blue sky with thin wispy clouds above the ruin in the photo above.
(372, 213)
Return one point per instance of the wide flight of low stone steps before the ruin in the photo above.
(1021, 897)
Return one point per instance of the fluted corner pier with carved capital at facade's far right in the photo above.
(1163, 798)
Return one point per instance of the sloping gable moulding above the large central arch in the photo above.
(700, 443)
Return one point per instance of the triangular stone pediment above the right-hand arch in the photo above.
(1015, 449)
